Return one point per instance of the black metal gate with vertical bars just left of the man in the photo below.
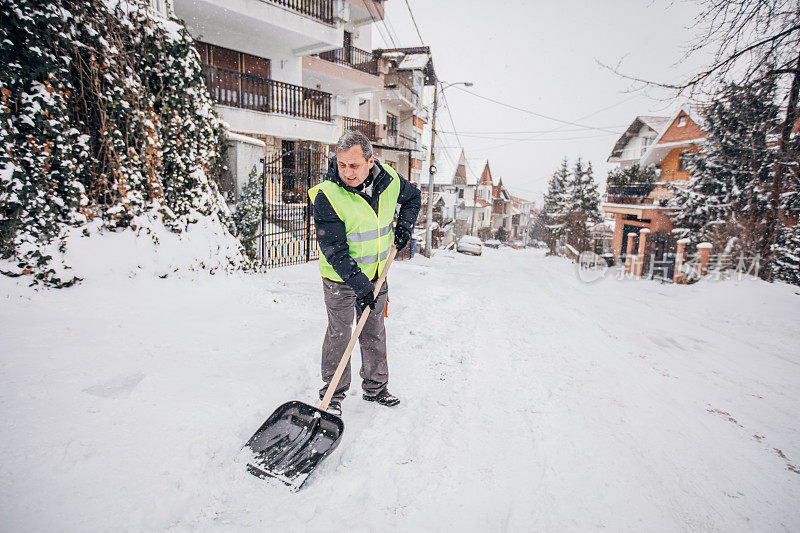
(288, 236)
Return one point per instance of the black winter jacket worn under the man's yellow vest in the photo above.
(331, 234)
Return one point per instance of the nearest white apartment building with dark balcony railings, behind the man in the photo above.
(286, 75)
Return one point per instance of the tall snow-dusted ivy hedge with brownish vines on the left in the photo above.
(105, 122)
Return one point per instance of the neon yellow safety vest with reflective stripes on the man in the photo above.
(369, 235)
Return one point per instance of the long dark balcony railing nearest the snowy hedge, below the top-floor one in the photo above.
(229, 87)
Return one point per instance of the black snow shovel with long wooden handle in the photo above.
(297, 436)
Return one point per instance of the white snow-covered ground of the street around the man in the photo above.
(531, 402)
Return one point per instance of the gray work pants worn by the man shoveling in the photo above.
(340, 300)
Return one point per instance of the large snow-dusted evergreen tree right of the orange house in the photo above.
(727, 199)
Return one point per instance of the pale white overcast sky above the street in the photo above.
(542, 56)
